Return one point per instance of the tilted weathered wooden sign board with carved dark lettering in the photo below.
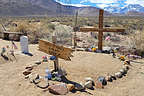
(55, 50)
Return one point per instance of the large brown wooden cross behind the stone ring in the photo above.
(100, 29)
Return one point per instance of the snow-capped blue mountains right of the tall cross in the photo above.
(123, 10)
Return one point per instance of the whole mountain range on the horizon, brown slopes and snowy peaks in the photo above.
(53, 8)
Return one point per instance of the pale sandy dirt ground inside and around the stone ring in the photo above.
(83, 64)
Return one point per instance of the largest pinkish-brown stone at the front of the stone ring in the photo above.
(58, 89)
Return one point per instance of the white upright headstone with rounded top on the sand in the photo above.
(24, 44)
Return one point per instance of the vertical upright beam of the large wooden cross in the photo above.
(100, 35)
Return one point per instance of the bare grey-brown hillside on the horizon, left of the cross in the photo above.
(42, 7)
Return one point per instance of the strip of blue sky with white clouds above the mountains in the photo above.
(101, 3)
